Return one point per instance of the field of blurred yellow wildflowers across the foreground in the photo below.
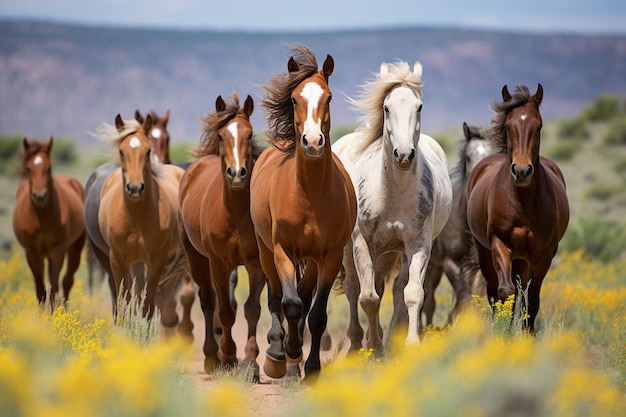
(75, 362)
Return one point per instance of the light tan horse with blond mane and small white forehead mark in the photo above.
(137, 220)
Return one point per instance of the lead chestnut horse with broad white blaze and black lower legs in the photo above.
(303, 208)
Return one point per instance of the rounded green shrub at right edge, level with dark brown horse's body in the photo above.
(599, 238)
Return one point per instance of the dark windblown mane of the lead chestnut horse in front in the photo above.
(281, 130)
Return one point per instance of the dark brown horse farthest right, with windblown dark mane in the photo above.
(517, 206)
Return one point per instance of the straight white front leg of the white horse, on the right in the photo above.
(414, 290)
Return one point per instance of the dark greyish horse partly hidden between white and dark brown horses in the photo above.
(455, 240)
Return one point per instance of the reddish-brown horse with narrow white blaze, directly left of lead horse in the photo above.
(216, 229)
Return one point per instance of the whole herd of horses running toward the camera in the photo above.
(303, 216)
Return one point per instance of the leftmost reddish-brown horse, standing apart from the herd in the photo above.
(48, 220)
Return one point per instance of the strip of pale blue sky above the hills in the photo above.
(577, 16)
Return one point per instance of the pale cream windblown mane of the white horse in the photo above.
(371, 98)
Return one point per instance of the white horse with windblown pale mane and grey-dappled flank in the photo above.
(404, 198)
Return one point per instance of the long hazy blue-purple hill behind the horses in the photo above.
(65, 80)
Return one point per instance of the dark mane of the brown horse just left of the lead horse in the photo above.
(212, 122)
